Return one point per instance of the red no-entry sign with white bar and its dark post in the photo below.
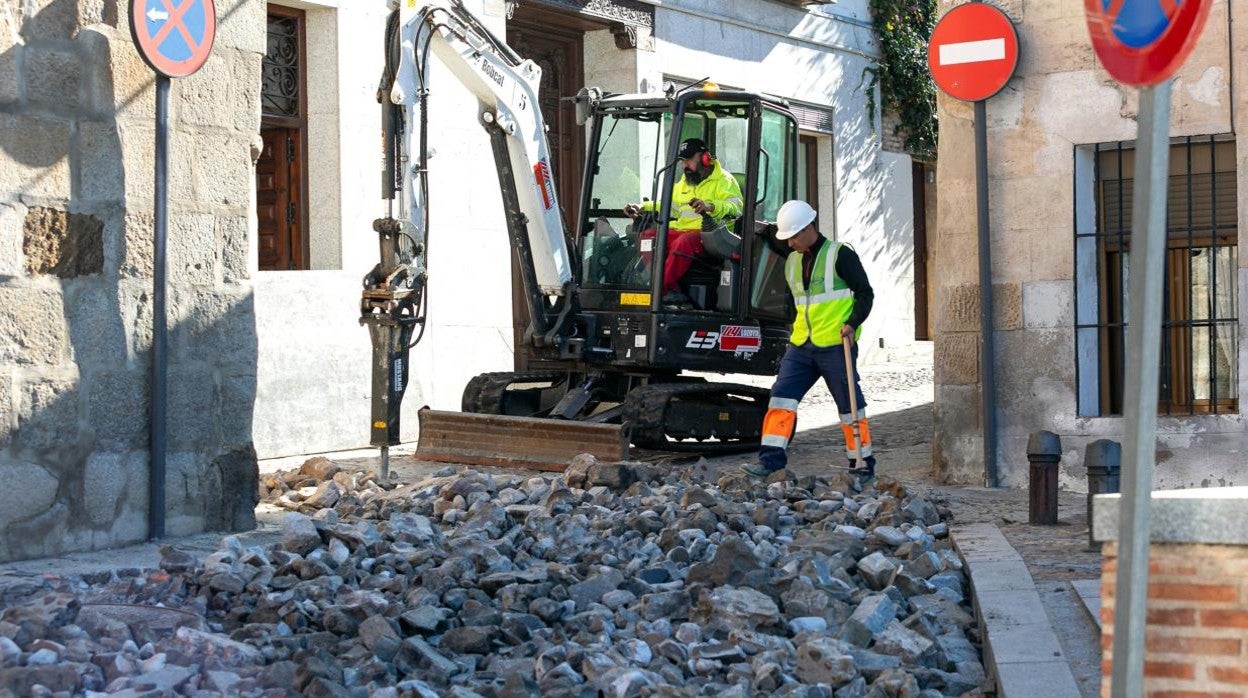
(973, 53)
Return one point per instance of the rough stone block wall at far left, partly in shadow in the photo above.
(77, 197)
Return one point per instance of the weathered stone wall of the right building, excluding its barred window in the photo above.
(1059, 101)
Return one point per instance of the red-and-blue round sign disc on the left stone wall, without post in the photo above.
(174, 37)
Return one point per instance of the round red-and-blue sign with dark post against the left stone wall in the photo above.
(175, 41)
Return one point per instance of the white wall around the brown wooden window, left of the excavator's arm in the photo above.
(314, 376)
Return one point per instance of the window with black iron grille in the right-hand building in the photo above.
(1200, 370)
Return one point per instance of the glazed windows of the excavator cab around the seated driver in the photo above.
(631, 164)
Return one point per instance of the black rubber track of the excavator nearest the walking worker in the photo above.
(696, 418)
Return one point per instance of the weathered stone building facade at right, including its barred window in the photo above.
(1060, 164)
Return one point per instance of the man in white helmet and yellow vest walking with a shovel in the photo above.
(834, 298)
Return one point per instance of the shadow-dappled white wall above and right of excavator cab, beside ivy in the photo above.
(817, 58)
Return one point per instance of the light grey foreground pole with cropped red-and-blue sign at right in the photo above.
(1140, 48)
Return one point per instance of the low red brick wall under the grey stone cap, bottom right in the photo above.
(1197, 627)
